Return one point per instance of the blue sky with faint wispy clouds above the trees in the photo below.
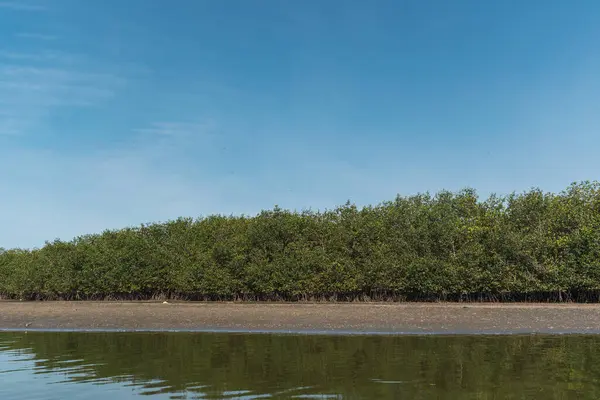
(118, 112)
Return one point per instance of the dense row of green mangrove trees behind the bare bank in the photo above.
(533, 245)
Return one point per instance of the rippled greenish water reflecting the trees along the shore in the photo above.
(236, 366)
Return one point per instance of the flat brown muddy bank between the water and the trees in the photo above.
(411, 318)
